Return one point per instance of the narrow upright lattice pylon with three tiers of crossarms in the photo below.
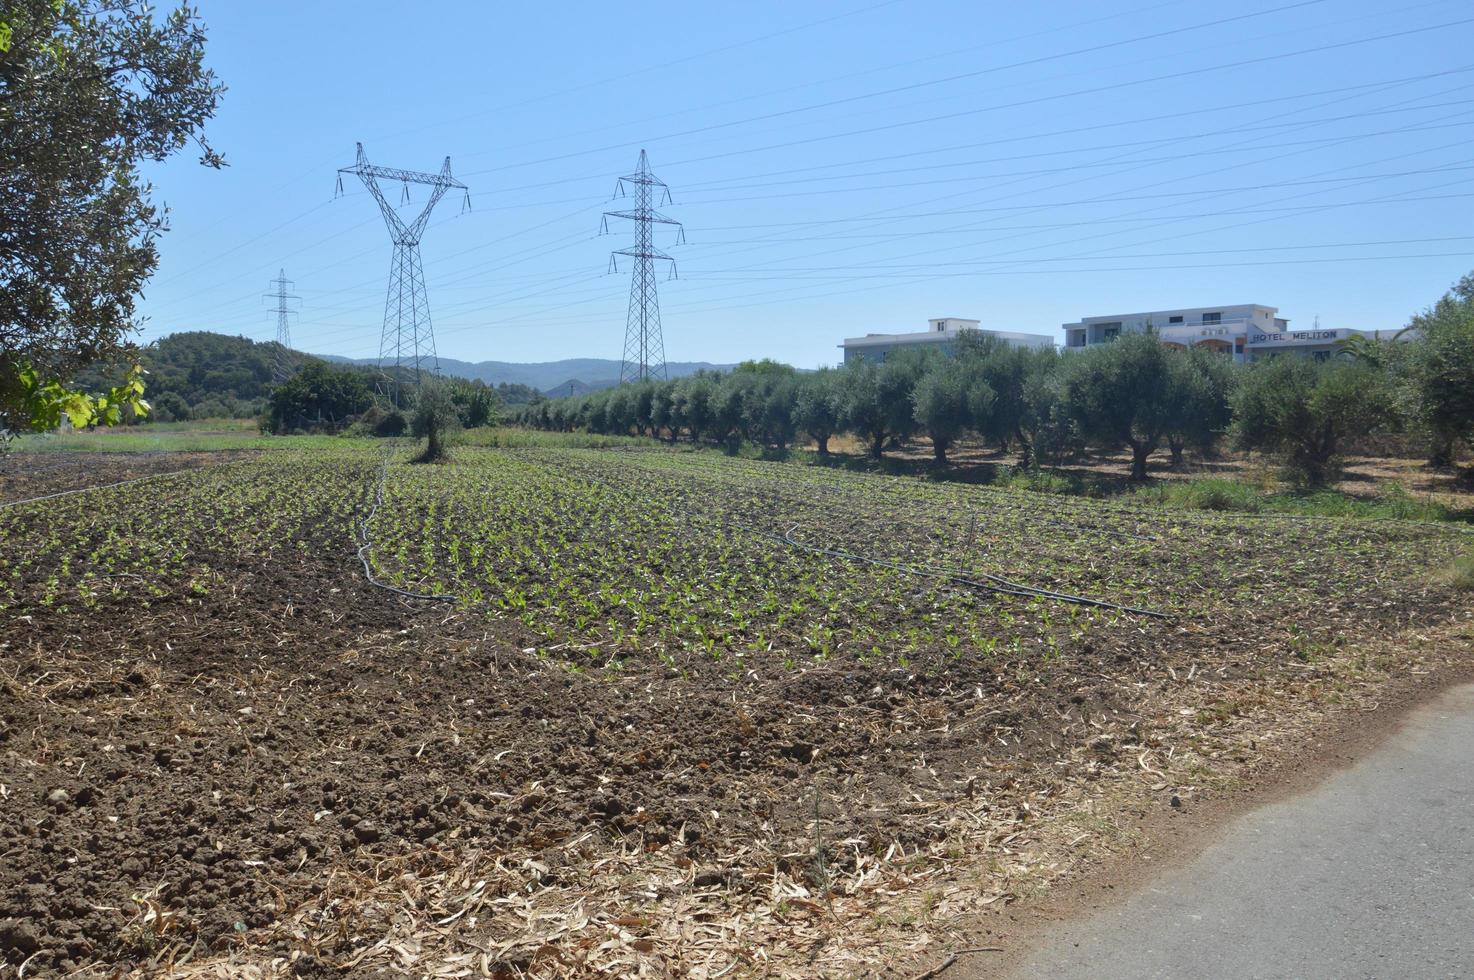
(645, 346)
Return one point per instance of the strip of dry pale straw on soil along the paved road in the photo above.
(462, 911)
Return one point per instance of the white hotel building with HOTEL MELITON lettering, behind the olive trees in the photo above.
(1248, 332)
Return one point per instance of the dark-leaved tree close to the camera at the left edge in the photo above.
(89, 92)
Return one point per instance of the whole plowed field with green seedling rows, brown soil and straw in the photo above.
(558, 713)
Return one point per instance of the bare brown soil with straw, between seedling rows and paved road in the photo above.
(296, 766)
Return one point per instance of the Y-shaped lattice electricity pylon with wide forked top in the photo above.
(408, 346)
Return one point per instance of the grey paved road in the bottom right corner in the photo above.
(1372, 875)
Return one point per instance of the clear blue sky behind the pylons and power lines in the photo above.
(841, 167)
